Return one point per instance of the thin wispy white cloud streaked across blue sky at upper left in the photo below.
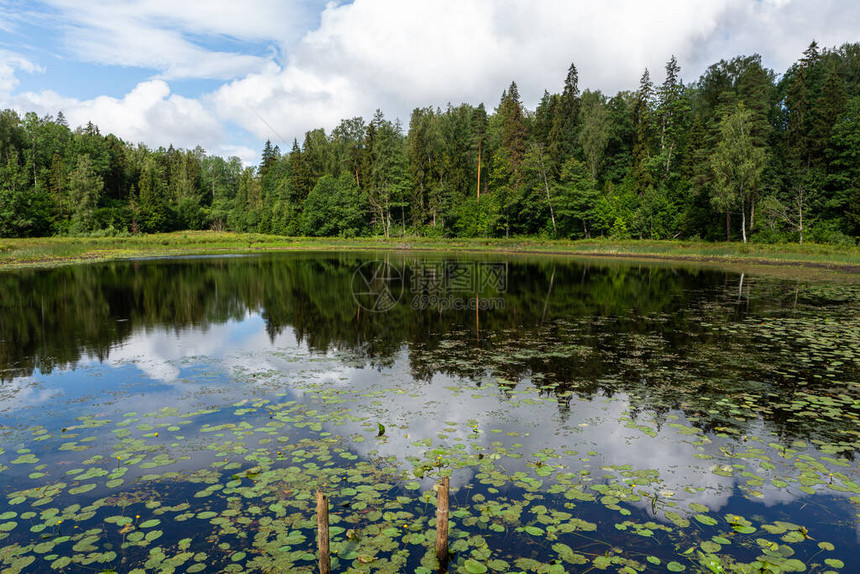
(176, 38)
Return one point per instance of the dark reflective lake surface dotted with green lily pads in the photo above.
(179, 415)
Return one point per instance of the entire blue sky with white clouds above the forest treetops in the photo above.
(228, 75)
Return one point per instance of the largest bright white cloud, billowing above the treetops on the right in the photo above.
(399, 55)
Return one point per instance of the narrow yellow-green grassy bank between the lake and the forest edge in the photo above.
(17, 253)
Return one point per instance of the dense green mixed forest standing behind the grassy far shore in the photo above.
(740, 154)
